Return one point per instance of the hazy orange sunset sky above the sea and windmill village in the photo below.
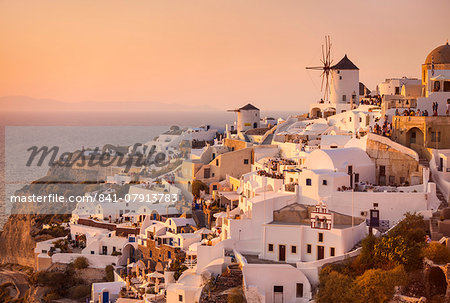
(221, 53)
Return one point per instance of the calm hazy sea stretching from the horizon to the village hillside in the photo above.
(75, 130)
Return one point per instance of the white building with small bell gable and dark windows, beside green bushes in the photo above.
(300, 233)
